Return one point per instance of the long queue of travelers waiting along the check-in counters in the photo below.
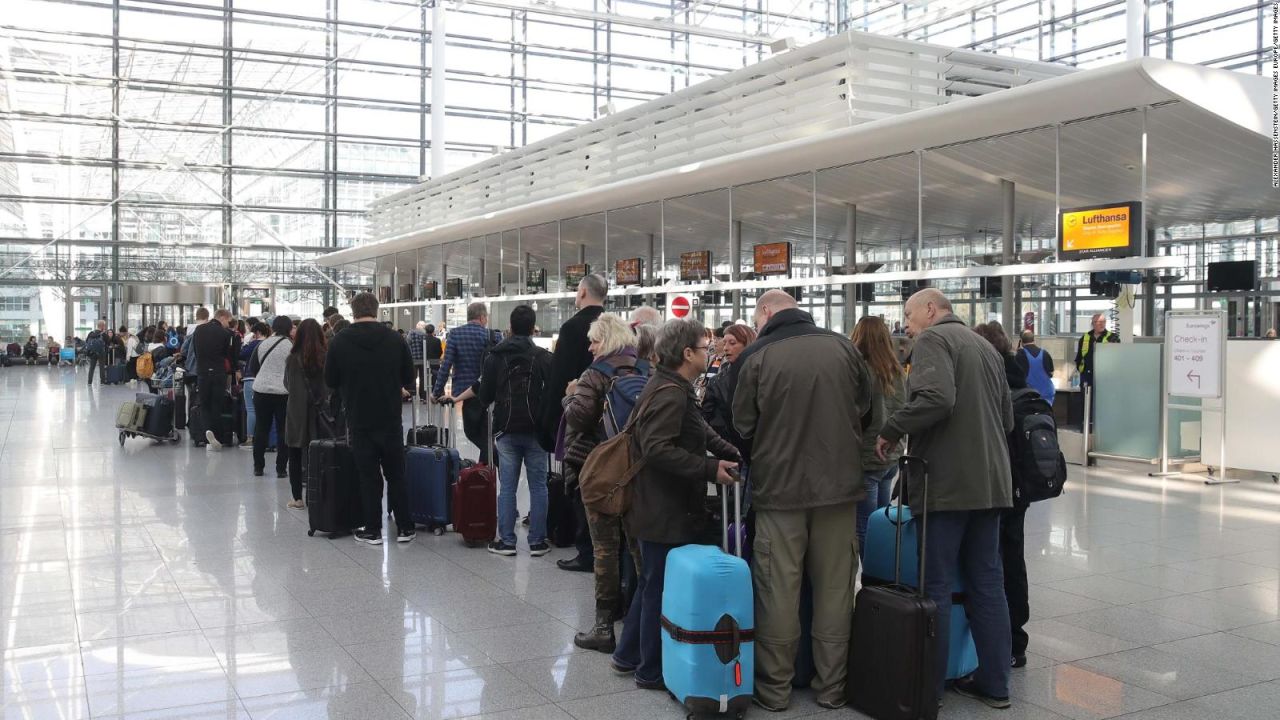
(816, 453)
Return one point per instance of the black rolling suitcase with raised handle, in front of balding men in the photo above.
(895, 637)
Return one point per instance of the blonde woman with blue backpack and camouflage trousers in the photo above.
(614, 348)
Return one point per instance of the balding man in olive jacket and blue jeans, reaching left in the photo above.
(958, 416)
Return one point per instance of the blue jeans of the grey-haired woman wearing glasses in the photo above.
(641, 646)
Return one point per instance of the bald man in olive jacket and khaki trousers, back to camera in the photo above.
(802, 398)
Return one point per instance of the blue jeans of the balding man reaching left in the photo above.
(968, 543)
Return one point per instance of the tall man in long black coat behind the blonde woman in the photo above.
(573, 357)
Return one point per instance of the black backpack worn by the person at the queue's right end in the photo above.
(1039, 467)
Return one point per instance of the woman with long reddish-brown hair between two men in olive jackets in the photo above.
(889, 393)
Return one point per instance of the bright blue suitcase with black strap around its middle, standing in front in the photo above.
(708, 621)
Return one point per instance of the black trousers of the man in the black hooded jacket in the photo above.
(381, 454)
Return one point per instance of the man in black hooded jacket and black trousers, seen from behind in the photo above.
(372, 370)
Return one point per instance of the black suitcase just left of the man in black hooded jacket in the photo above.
(332, 489)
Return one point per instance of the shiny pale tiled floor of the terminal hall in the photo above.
(168, 582)
